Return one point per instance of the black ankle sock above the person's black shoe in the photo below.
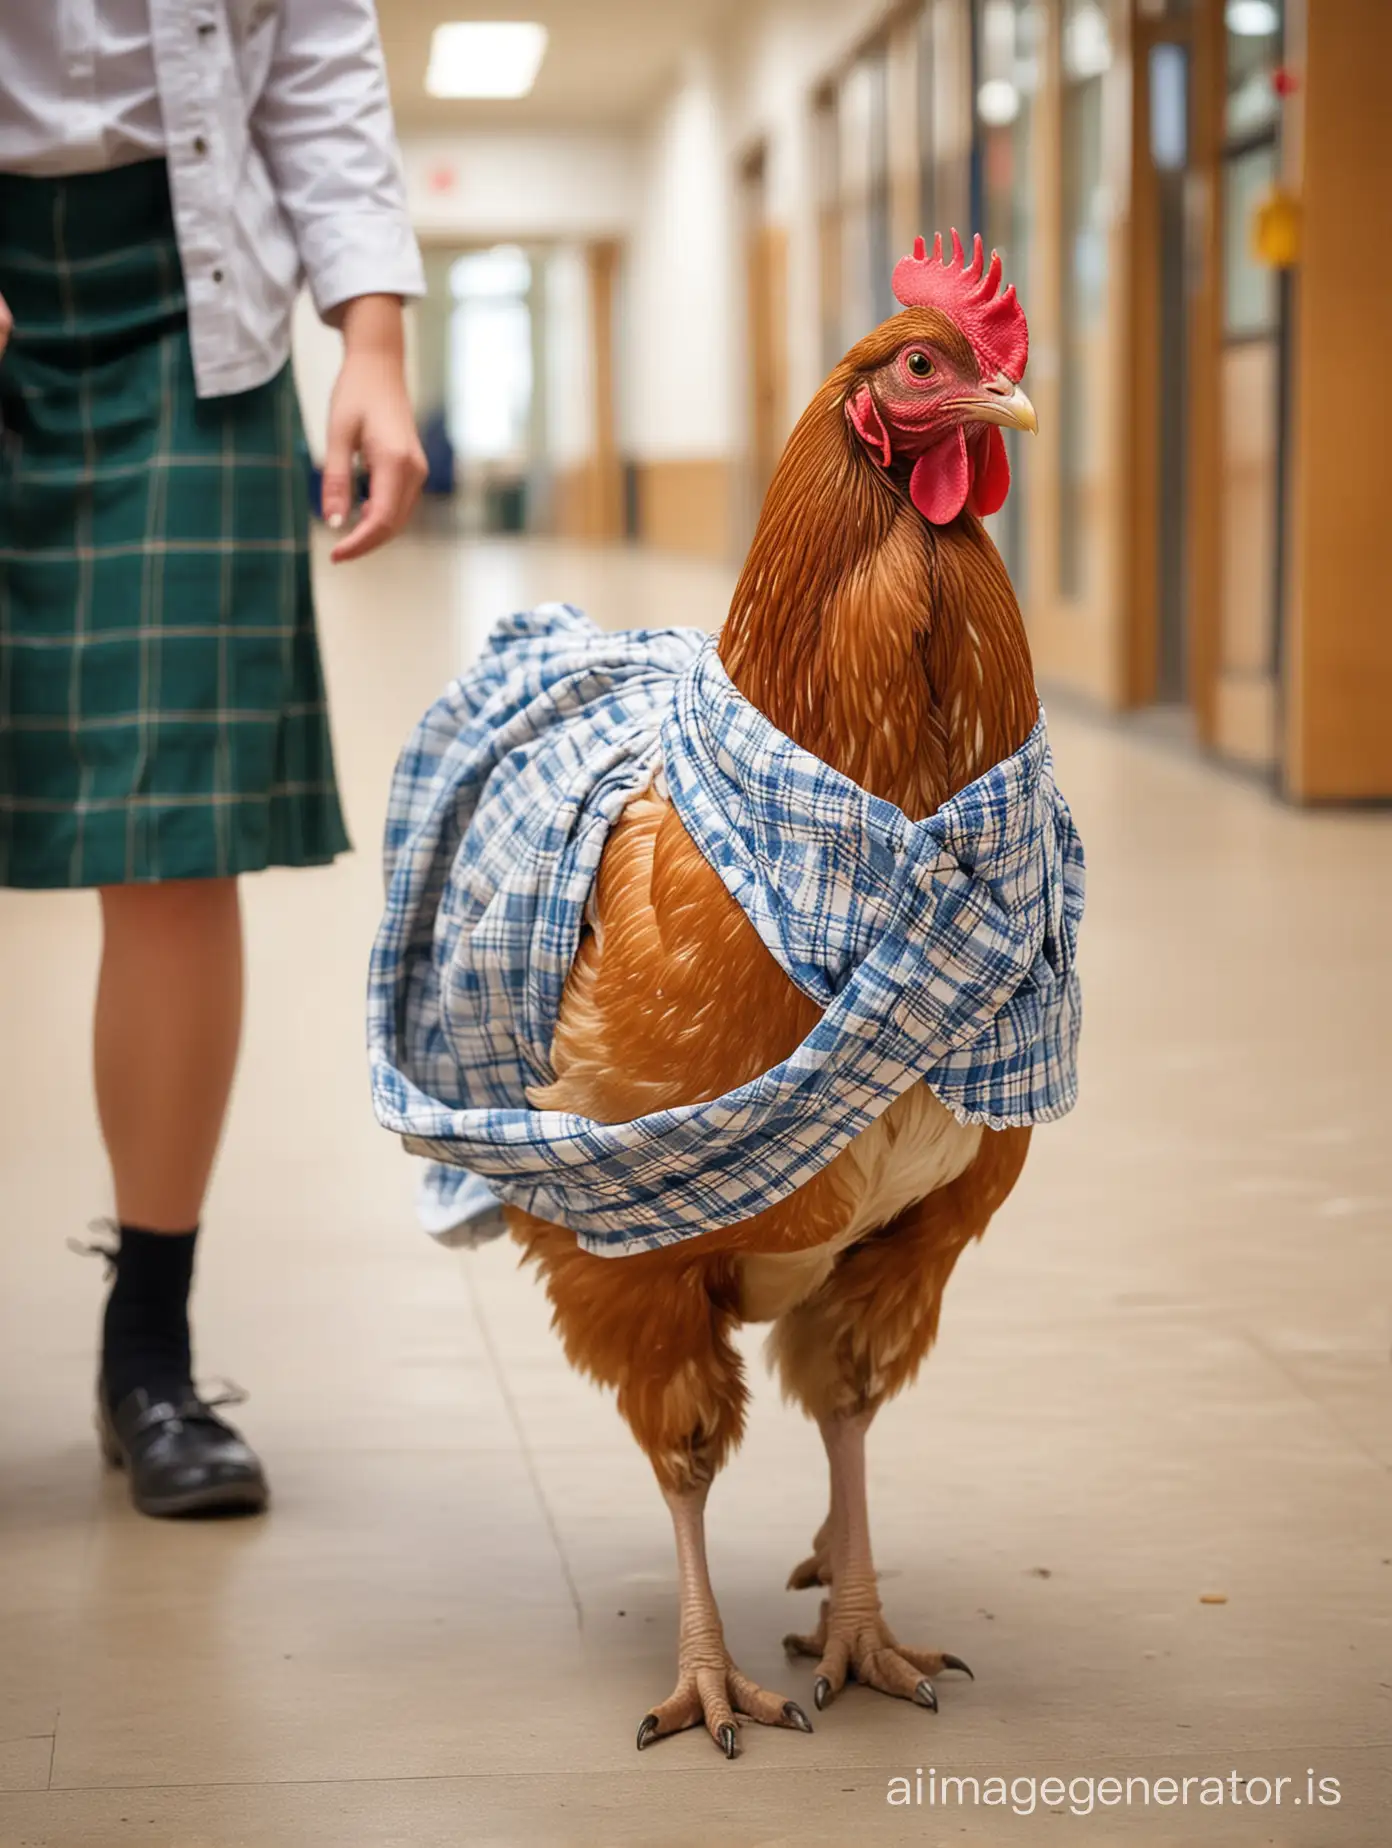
(145, 1337)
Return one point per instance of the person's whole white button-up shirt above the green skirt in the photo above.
(278, 132)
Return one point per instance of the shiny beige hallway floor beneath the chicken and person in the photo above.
(1166, 1374)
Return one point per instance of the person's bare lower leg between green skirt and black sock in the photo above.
(169, 1019)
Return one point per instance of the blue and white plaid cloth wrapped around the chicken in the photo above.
(938, 951)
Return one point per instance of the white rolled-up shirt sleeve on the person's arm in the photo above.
(324, 128)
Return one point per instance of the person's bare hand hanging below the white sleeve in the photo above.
(371, 417)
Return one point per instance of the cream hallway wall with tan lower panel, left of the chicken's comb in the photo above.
(683, 339)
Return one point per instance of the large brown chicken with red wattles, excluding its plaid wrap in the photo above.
(877, 627)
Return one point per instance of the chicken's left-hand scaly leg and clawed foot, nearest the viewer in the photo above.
(711, 1690)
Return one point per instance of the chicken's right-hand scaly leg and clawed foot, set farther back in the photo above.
(853, 1640)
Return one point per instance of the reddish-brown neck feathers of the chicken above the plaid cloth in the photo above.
(888, 648)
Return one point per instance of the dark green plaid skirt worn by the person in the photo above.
(162, 701)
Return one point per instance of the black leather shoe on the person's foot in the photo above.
(180, 1455)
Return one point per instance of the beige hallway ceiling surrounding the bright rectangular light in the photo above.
(607, 62)
